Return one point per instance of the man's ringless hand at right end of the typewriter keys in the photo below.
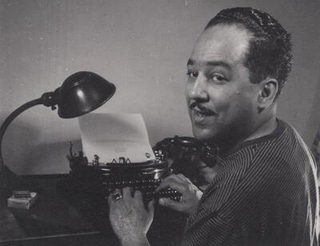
(191, 195)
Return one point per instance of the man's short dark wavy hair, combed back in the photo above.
(270, 49)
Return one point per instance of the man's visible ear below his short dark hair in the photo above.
(268, 92)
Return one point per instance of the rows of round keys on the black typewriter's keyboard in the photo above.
(146, 186)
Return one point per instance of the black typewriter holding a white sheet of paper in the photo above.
(100, 179)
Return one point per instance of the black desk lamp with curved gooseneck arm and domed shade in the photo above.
(79, 94)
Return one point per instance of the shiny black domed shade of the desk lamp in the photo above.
(82, 93)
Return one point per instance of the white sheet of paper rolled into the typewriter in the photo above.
(115, 135)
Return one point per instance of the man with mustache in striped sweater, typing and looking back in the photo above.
(265, 190)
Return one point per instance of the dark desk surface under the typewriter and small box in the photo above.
(54, 221)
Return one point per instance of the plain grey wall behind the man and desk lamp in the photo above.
(142, 46)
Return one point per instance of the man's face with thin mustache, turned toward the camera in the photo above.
(220, 96)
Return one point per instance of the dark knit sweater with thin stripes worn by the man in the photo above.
(265, 195)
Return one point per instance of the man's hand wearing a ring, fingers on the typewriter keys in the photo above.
(129, 218)
